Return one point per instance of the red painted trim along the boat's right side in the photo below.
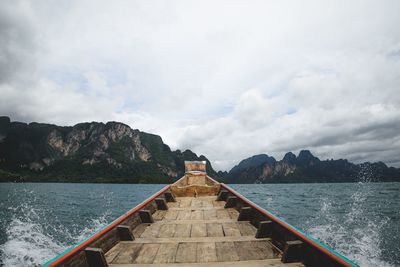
(288, 228)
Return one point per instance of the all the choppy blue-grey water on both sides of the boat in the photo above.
(360, 220)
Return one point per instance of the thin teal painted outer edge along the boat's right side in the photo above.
(295, 229)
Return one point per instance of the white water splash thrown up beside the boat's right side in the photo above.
(353, 234)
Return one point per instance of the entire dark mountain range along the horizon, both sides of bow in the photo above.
(112, 152)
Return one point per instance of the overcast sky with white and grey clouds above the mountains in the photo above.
(227, 79)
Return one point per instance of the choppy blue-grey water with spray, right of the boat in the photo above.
(359, 220)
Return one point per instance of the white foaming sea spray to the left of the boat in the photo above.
(31, 240)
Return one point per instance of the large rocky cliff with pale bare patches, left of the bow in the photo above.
(109, 152)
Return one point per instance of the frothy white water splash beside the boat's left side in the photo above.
(29, 242)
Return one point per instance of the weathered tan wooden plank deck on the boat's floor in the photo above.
(194, 231)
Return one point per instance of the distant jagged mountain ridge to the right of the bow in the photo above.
(307, 168)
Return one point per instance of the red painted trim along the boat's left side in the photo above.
(64, 258)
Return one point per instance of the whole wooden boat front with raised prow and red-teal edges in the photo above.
(199, 222)
